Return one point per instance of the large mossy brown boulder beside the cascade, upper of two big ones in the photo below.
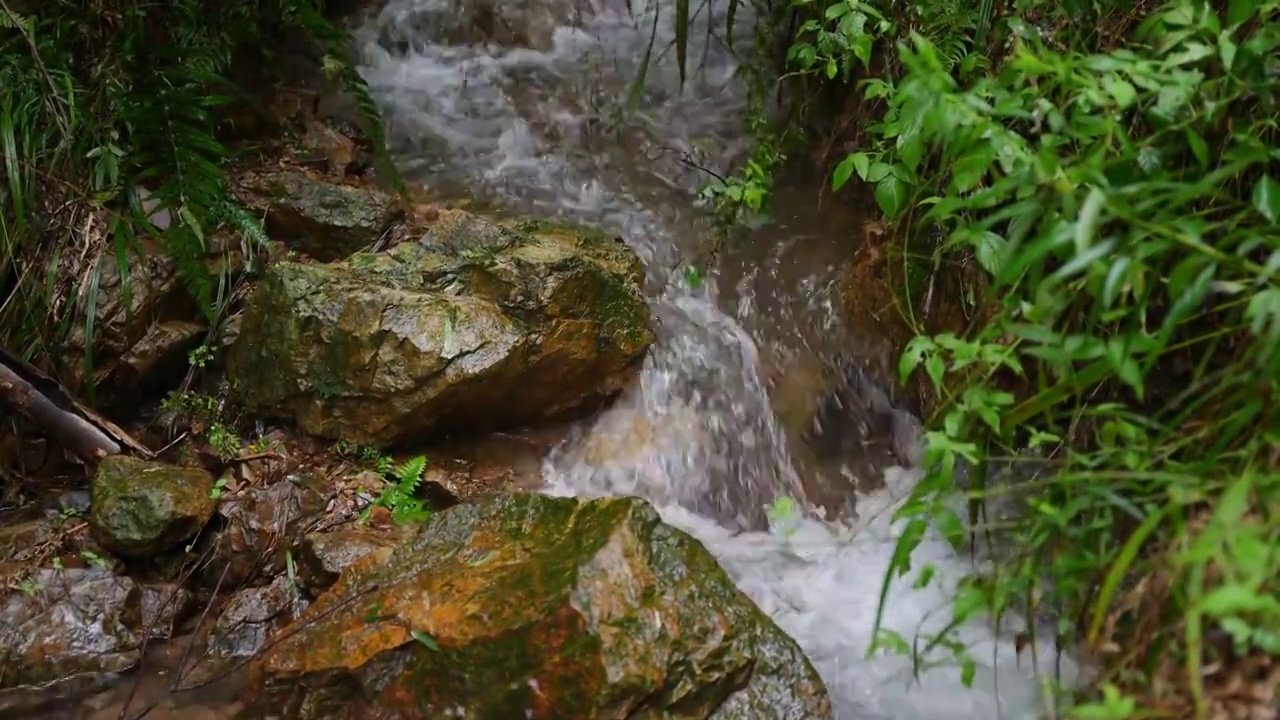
(481, 326)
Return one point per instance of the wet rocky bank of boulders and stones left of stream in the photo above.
(337, 516)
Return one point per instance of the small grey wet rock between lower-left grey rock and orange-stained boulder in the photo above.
(253, 616)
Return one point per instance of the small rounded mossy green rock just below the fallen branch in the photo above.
(141, 508)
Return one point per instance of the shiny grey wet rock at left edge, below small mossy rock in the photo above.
(67, 623)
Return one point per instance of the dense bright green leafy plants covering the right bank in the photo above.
(1109, 174)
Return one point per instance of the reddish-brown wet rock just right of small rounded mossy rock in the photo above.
(259, 527)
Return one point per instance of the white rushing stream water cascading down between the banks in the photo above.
(529, 107)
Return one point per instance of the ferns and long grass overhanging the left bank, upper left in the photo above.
(109, 143)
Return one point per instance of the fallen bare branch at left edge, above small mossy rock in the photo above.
(79, 429)
